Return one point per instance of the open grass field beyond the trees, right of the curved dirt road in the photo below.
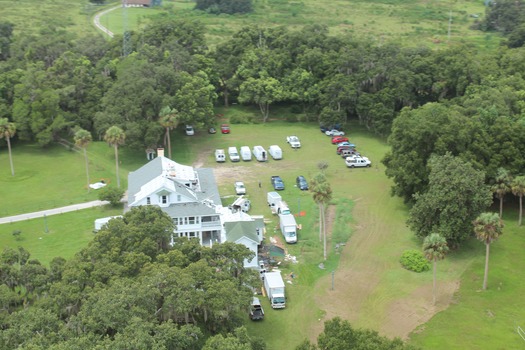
(409, 22)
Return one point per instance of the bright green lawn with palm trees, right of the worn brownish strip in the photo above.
(484, 319)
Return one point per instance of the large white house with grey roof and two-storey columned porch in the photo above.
(191, 198)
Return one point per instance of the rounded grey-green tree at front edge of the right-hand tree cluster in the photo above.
(456, 195)
